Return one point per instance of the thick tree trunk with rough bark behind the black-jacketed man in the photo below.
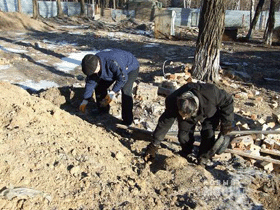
(211, 27)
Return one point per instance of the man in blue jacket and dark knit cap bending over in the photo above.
(102, 70)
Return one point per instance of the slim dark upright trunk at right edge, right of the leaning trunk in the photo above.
(270, 23)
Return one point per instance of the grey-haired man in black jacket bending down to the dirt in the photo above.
(190, 104)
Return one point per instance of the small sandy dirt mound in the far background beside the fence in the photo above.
(18, 21)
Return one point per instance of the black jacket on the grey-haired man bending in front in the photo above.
(211, 99)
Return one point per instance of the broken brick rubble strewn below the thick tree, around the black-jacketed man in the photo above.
(261, 147)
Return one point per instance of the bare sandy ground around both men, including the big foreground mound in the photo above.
(53, 157)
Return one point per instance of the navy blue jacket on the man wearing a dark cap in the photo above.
(115, 66)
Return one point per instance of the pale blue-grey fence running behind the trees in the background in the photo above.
(184, 16)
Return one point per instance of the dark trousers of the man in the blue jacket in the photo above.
(127, 100)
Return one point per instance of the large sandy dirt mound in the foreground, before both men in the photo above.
(51, 159)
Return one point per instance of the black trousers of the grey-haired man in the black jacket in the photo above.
(186, 134)
